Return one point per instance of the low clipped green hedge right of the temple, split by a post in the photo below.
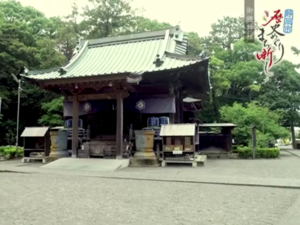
(265, 153)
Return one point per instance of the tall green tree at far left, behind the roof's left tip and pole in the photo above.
(23, 42)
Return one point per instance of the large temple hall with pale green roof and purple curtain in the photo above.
(115, 84)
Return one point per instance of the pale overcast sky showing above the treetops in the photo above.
(191, 15)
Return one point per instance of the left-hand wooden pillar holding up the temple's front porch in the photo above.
(75, 127)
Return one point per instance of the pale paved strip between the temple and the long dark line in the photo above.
(283, 172)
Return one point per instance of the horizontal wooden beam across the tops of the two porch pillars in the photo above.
(88, 97)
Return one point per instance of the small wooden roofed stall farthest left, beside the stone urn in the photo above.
(36, 143)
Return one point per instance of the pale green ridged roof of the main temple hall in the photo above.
(132, 54)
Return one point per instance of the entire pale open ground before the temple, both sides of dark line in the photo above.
(171, 195)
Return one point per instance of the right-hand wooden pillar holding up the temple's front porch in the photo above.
(119, 135)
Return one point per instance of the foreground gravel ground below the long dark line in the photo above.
(35, 199)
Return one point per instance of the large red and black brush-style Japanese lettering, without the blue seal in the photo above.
(271, 40)
